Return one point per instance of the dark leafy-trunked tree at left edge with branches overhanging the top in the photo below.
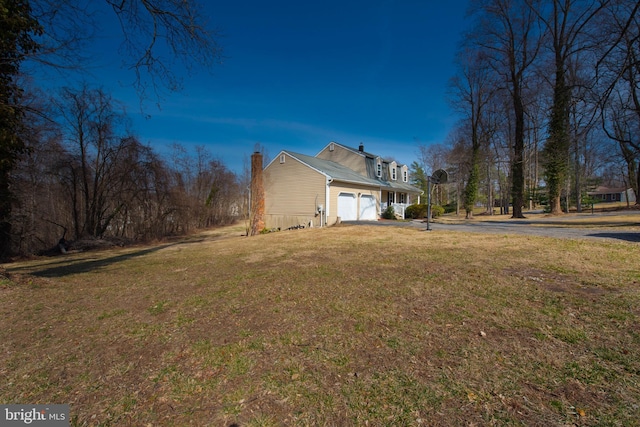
(158, 35)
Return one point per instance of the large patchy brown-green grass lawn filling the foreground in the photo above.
(350, 325)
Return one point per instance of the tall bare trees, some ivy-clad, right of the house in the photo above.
(549, 93)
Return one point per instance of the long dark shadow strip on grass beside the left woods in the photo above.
(66, 267)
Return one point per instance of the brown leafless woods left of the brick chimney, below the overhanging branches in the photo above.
(88, 176)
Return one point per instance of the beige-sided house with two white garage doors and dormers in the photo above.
(338, 184)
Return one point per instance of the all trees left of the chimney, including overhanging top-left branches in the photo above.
(70, 166)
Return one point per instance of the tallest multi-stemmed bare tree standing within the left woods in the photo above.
(99, 163)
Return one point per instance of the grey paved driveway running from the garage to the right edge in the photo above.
(540, 225)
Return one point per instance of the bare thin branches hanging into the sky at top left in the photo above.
(159, 38)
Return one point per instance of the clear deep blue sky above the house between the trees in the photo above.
(297, 75)
